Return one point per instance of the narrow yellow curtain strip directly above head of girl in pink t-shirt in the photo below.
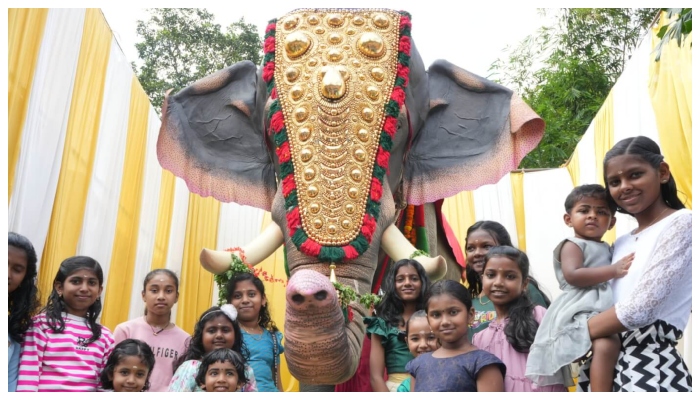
(165, 217)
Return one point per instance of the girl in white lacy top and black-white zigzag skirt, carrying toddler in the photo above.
(653, 302)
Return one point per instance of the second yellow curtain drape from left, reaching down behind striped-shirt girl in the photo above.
(79, 148)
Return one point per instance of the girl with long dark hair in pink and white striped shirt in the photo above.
(66, 349)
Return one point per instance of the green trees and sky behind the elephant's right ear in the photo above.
(576, 60)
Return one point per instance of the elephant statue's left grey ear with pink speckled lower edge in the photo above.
(212, 137)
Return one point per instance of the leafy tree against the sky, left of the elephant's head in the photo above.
(181, 45)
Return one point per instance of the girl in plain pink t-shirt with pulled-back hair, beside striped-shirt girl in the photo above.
(167, 340)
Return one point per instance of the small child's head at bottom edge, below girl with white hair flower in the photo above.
(222, 370)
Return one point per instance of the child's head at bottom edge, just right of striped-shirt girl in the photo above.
(129, 367)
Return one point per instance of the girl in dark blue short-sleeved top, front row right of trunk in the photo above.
(457, 366)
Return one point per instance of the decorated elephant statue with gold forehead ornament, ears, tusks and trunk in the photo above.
(341, 120)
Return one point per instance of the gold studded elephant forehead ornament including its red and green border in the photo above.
(338, 85)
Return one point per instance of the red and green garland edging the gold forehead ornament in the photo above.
(278, 130)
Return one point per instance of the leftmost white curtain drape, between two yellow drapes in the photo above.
(44, 131)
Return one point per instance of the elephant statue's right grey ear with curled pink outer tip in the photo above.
(476, 131)
